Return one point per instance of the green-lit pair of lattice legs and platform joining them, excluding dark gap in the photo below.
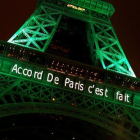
(39, 29)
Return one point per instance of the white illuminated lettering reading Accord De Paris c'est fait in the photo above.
(72, 83)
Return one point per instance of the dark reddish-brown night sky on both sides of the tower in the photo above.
(126, 22)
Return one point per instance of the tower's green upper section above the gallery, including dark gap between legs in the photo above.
(69, 26)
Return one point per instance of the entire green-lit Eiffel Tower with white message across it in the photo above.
(66, 60)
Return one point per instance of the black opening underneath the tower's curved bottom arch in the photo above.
(41, 126)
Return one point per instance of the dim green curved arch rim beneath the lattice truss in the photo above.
(65, 110)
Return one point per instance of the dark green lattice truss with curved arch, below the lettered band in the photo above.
(19, 96)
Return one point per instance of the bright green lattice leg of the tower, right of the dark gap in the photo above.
(105, 49)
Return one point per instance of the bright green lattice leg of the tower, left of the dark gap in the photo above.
(38, 30)
